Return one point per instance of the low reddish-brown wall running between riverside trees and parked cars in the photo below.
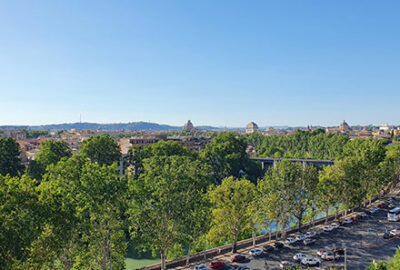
(210, 253)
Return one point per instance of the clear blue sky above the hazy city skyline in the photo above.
(222, 63)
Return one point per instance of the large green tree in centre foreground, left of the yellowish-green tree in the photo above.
(162, 199)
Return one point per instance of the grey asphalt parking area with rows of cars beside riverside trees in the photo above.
(363, 241)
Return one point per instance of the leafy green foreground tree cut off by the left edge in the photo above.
(21, 219)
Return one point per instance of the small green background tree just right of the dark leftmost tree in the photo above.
(50, 152)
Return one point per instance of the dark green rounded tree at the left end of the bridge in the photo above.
(227, 156)
